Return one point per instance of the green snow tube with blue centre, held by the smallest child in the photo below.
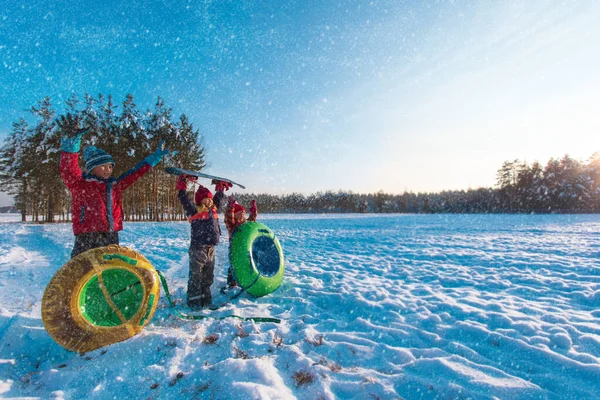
(256, 258)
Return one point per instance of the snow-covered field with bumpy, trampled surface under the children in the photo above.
(372, 307)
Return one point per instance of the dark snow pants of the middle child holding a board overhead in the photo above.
(202, 267)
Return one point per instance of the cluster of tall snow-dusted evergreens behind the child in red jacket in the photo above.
(30, 156)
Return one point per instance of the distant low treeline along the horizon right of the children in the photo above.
(562, 186)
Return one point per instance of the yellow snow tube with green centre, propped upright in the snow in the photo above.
(100, 297)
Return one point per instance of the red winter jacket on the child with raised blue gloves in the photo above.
(96, 203)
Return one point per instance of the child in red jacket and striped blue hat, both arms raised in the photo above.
(96, 204)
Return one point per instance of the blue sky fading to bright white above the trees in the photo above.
(307, 96)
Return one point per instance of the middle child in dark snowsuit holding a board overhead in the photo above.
(205, 234)
